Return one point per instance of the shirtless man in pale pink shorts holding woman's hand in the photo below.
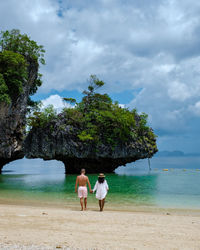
(82, 181)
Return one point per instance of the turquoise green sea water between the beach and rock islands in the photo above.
(133, 185)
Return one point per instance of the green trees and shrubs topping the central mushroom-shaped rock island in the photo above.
(98, 120)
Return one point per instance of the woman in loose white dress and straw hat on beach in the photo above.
(101, 188)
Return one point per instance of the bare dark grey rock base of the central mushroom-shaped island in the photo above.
(59, 141)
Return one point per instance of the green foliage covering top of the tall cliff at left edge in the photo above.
(17, 54)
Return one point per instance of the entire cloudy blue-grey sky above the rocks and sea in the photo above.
(147, 52)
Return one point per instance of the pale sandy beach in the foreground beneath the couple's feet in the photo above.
(35, 227)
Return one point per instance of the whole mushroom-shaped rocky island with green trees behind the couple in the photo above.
(95, 134)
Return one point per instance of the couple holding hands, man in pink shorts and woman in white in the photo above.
(101, 188)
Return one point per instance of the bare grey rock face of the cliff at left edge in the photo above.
(13, 120)
